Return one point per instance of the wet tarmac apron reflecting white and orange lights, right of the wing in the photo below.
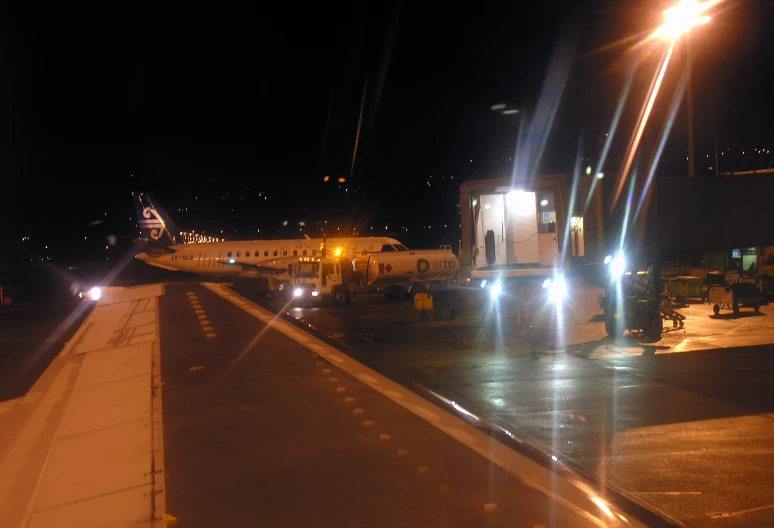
(683, 423)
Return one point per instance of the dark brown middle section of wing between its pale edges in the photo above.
(260, 431)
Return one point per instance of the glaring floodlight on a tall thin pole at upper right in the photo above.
(678, 21)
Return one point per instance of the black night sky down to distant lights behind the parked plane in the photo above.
(232, 116)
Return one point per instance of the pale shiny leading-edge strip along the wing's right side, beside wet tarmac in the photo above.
(570, 491)
